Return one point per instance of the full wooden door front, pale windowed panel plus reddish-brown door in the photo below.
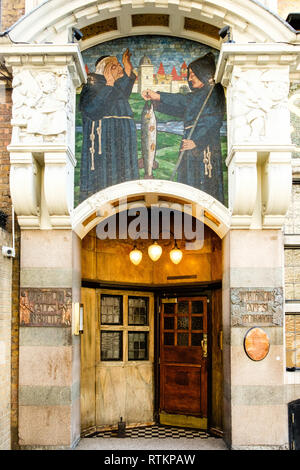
(119, 358)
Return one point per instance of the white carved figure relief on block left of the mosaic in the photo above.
(40, 104)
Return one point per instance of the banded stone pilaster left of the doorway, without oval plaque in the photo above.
(49, 377)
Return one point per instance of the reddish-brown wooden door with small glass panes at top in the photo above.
(183, 361)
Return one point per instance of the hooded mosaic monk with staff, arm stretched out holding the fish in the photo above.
(201, 166)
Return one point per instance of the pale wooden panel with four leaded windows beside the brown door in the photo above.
(124, 373)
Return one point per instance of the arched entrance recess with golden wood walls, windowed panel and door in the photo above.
(165, 366)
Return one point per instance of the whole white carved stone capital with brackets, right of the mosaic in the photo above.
(258, 77)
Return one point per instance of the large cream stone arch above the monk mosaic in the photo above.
(52, 21)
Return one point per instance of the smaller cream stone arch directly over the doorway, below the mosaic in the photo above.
(102, 205)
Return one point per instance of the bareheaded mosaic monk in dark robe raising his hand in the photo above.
(109, 149)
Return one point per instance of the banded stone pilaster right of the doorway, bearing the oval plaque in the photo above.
(254, 398)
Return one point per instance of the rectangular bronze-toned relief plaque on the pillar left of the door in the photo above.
(46, 307)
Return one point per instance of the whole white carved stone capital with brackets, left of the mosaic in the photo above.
(45, 78)
